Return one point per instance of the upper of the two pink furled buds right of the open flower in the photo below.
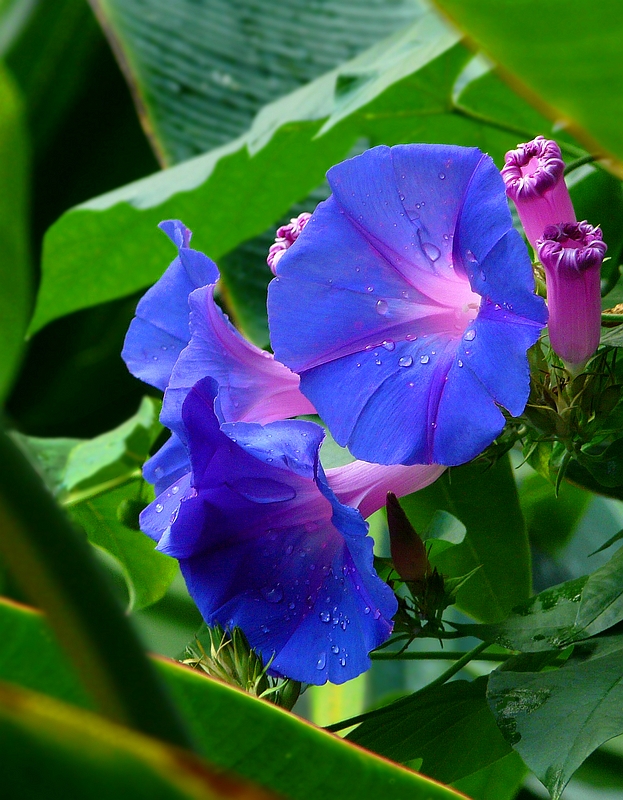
(533, 174)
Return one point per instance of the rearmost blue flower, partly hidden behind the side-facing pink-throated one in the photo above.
(159, 331)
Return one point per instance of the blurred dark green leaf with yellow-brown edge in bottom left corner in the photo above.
(80, 755)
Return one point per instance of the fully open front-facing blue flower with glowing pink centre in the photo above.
(407, 305)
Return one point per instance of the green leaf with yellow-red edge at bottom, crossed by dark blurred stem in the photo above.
(238, 733)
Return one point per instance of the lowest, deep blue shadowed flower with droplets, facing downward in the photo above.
(265, 545)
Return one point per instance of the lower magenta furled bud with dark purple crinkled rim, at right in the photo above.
(571, 254)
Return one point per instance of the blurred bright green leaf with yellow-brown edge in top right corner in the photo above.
(566, 82)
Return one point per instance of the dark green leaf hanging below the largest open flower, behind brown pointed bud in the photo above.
(486, 502)
